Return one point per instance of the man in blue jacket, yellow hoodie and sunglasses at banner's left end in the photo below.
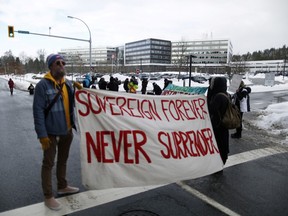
(53, 126)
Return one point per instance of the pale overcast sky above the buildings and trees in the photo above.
(251, 25)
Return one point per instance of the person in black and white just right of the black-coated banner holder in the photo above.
(242, 101)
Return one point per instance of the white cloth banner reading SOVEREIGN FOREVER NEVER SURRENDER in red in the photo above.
(132, 140)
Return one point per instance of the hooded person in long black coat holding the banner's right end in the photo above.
(217, 105)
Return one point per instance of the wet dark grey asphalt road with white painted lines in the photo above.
(254, 181)
